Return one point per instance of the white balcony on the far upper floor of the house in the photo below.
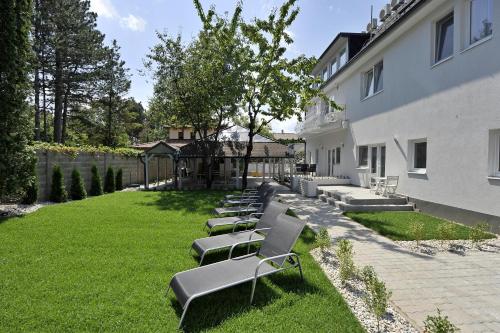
(321, 122)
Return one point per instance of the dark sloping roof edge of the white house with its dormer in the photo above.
(408, 9)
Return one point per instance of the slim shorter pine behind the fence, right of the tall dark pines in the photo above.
(114, 84)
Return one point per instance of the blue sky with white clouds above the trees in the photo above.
(134, 23)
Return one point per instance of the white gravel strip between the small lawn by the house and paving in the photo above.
(460, 247)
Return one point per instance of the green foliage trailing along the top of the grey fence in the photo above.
(73, 151)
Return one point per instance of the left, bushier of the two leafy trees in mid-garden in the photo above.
(200, 84)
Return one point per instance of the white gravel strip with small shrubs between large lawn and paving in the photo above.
(353, 293)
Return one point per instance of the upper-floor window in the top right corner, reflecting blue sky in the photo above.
(481, 25)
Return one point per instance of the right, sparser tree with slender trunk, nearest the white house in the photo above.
(276, 88)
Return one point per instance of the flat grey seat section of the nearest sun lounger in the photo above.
(218, 276)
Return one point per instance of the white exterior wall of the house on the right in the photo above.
(454, 105)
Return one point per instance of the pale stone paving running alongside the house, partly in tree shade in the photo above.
(466, 288)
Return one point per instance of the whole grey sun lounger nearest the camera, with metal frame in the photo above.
(273, 256)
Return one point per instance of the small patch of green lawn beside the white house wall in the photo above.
(396, 225)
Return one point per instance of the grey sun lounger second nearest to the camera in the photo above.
(204, 245)
